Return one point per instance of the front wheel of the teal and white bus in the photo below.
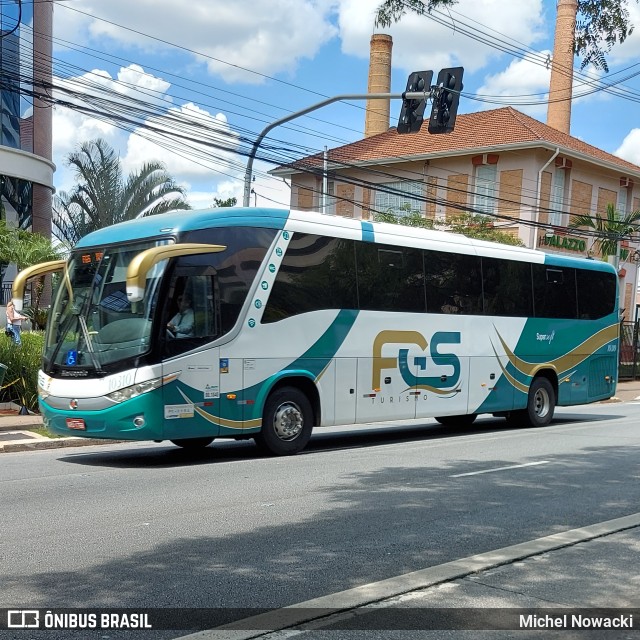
(287, 422)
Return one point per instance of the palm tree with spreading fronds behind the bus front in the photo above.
(104, 197)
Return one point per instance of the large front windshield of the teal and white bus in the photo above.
(92, 322)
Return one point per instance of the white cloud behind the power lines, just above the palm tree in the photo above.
(205, 149)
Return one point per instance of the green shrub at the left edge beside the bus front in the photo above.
(20, 384)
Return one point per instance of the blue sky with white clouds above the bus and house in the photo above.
(207, 76)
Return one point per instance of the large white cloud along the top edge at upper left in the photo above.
(269, 36)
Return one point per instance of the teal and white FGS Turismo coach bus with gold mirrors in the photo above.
(301, 320)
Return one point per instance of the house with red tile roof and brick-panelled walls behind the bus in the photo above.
(528, 177)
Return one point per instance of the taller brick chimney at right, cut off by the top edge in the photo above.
(560, 88)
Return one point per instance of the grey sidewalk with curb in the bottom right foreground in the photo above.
(573, 580)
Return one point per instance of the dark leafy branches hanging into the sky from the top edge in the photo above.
(600, 24)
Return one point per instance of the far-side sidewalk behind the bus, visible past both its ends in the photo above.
(15, 434)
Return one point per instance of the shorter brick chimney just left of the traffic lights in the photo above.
(377, 114)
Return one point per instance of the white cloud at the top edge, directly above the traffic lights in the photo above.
(421, 43)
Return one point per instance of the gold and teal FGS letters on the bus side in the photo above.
(438, 357)
